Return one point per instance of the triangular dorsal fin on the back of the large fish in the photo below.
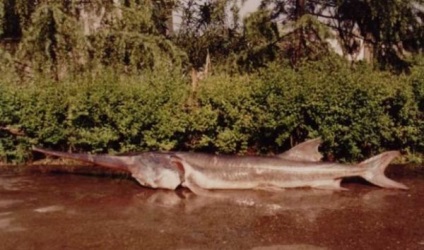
(305, 151)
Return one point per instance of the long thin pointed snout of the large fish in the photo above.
(108, 161)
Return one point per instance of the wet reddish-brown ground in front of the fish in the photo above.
(59, 211)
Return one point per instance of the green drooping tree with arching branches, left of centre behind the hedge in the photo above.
(133, 43)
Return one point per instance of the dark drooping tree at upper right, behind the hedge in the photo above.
(388, 28)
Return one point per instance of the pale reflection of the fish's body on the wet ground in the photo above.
(307, 201)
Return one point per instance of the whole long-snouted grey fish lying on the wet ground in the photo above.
(298, 167)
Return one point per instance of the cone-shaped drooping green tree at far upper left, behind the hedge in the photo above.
(54, 44)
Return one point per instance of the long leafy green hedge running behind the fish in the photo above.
(358, 112)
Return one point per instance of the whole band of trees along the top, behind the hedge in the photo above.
(63, 37)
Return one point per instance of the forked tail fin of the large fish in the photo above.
(375, 167)
